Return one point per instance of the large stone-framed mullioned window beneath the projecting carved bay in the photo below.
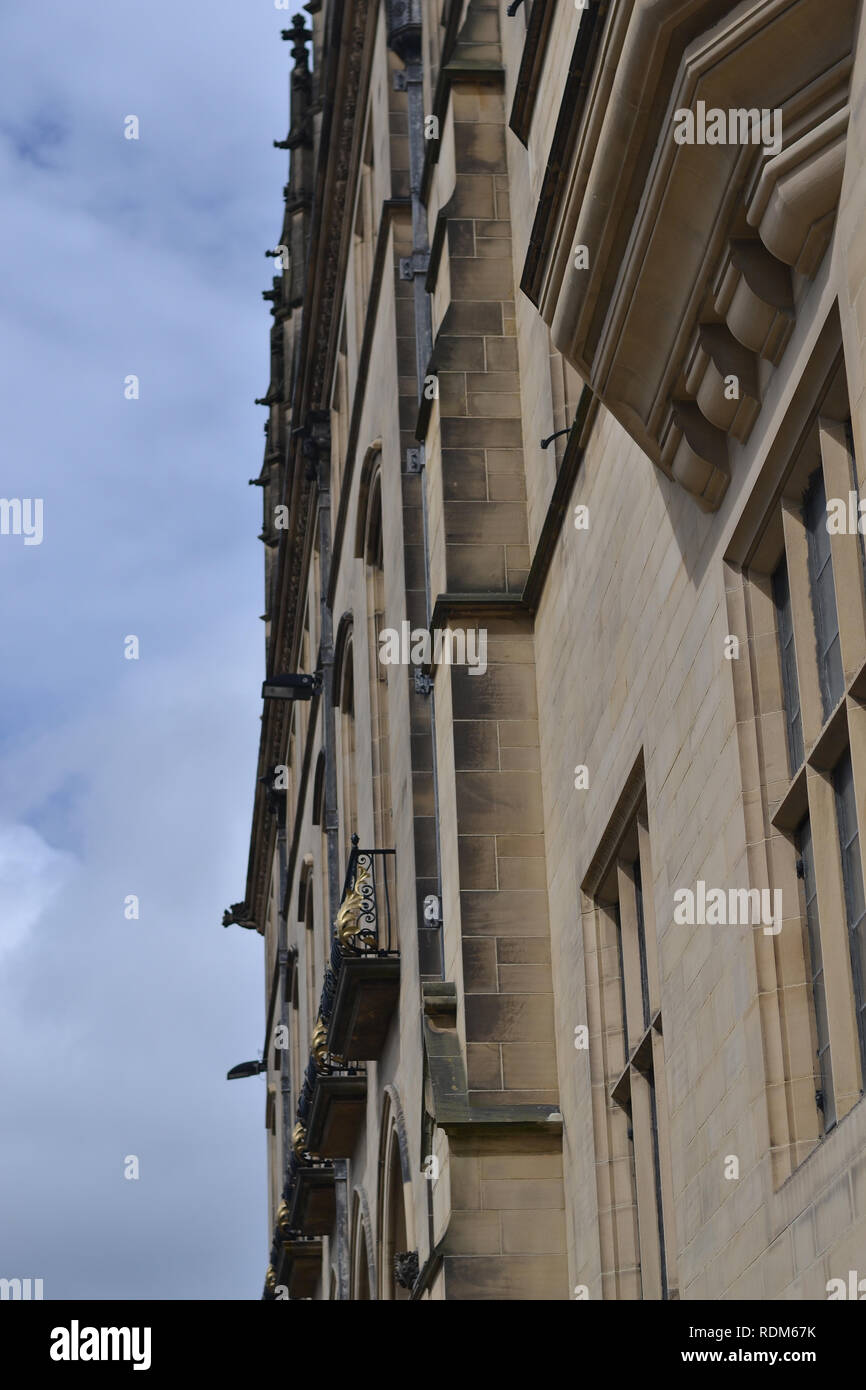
(804, 696)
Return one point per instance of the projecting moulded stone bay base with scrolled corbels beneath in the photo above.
(698, 254)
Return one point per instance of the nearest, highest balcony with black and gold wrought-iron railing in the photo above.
(363, 982)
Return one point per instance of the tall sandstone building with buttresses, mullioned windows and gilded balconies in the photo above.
(555, 847)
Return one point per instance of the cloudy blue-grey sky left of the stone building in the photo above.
(120, 776)
